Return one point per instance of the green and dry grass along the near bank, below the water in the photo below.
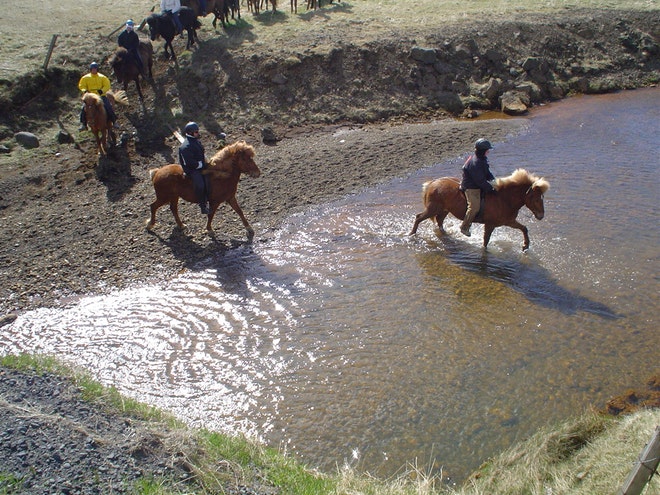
(590, 454)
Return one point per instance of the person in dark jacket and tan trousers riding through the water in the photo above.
(476, 174)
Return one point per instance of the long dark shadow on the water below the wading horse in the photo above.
(519, 273)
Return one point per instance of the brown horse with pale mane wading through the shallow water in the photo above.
(443, 196)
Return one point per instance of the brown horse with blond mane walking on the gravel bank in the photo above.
(224, 171)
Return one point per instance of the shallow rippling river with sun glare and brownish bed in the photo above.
(345, 341)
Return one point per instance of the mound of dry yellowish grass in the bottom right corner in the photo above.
(590, 455)
